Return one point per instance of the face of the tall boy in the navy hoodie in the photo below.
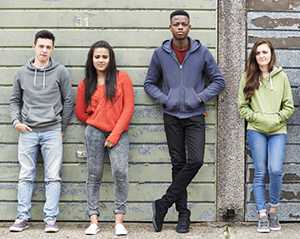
(180, 27)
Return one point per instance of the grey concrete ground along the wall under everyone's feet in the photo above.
(145, 231)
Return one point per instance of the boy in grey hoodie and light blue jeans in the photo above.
(41, 106)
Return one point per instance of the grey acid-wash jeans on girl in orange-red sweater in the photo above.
(119, 166)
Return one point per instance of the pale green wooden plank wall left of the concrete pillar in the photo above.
(134, 28)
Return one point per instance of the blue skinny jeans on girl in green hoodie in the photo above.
(267, 152)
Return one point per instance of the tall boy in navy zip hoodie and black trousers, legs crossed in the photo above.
(176, 79)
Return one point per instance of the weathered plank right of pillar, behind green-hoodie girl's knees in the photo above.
(291, 173)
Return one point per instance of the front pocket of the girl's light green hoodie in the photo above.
(267, 122)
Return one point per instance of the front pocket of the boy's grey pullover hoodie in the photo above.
(41, 114)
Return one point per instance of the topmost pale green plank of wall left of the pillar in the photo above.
(108, 4)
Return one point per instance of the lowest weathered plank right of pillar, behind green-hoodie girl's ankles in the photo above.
(287, 212)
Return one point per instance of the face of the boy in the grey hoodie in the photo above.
(43, 50)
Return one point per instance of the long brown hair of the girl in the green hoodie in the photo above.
(252, 69)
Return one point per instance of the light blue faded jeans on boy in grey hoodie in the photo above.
(50, 144)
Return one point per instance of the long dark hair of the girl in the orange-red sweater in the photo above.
(91, 73)
